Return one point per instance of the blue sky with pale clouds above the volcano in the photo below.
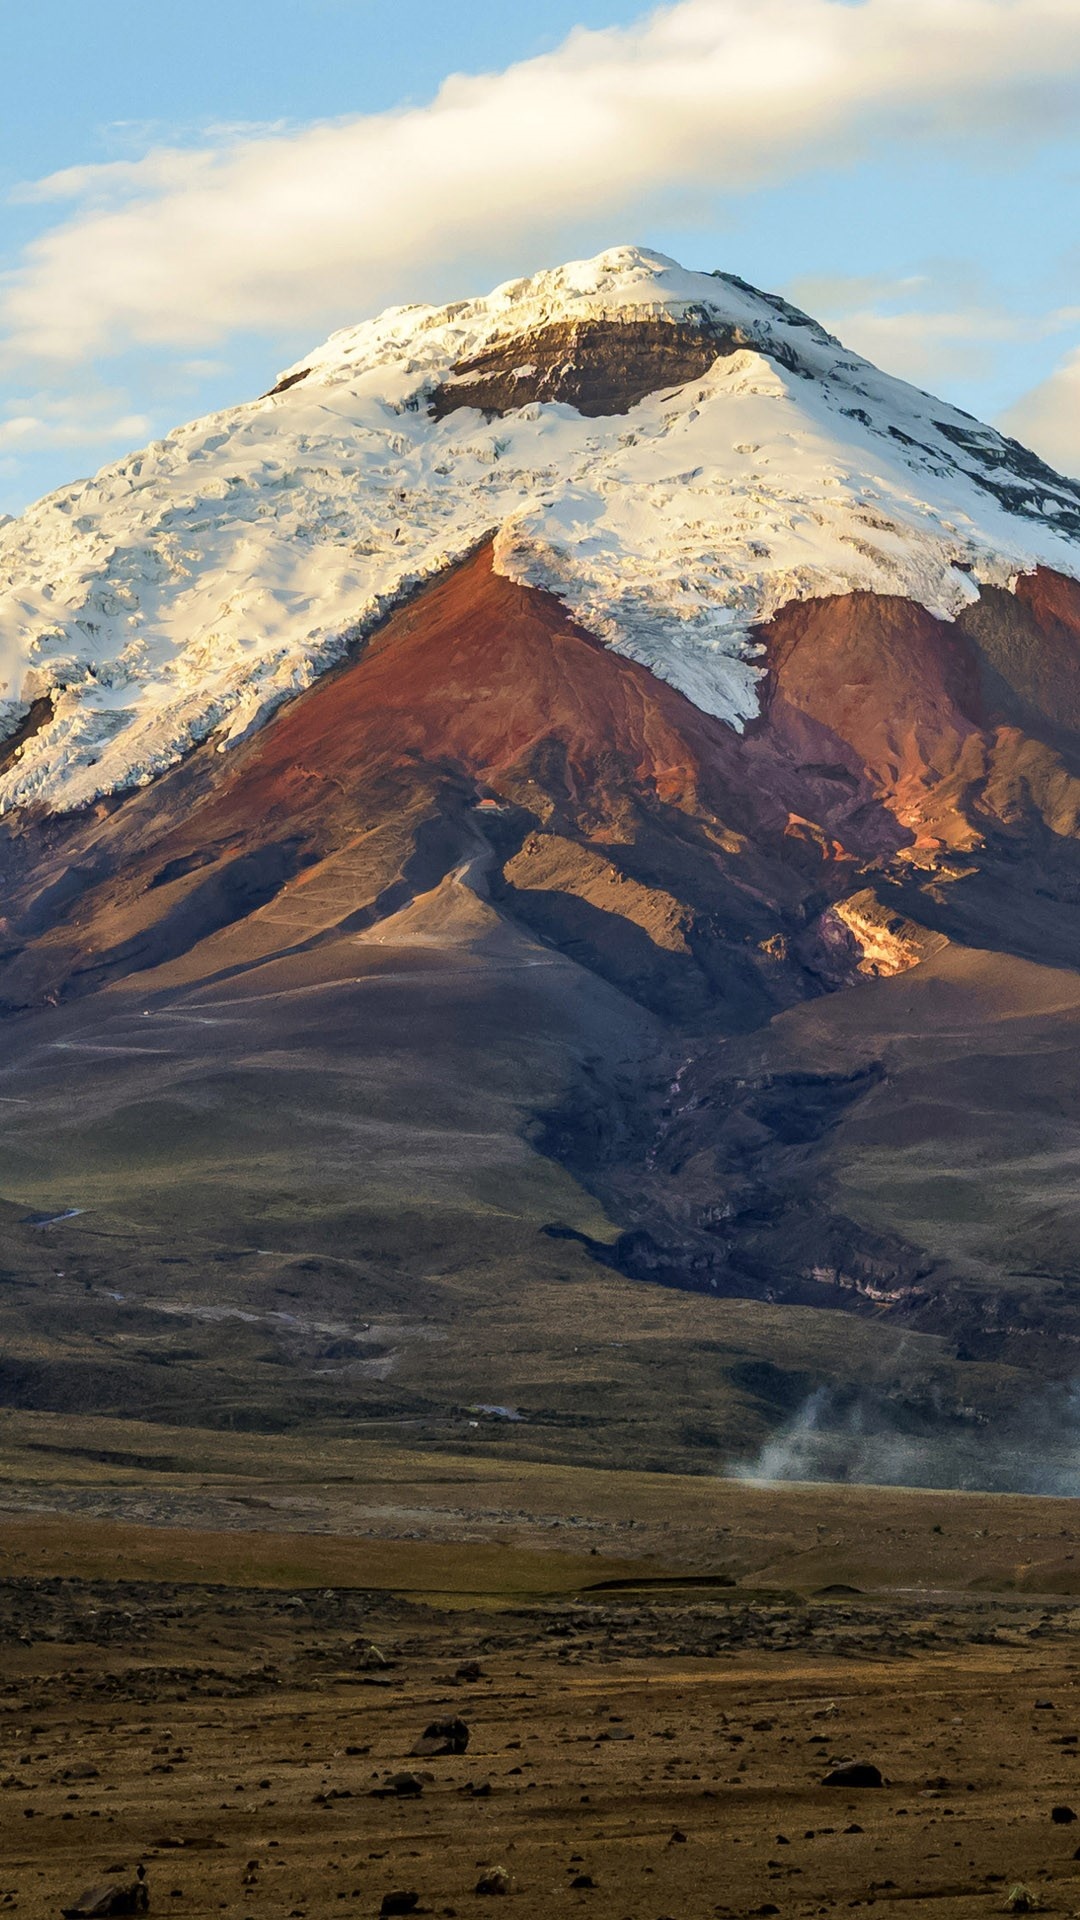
(241, 178)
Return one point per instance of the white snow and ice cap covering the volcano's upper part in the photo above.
(674, 454)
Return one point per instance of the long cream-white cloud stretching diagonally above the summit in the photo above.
(285, 231)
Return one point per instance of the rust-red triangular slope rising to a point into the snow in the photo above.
(489, 679)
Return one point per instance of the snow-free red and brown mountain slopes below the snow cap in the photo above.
(491, 932)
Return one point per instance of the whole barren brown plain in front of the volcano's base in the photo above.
(652, 1710)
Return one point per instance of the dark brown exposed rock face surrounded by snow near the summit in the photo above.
(601, 368)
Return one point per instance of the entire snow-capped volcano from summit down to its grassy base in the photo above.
(570, 790)
